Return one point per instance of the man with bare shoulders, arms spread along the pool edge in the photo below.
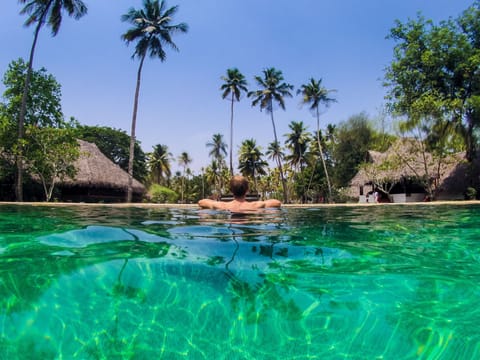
(239, 189)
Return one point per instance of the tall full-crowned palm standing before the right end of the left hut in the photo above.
(152, 31)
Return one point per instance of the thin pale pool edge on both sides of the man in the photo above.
(195, 206)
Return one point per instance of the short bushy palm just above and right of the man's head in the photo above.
(250, 162)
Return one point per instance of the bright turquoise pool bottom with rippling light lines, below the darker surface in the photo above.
(149, 309)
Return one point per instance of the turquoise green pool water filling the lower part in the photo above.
(379, 282)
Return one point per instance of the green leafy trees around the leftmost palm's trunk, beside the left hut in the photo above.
(48, 147)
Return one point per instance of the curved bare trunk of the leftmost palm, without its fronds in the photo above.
(23, 110)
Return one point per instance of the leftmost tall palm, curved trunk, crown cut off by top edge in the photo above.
(40, 12)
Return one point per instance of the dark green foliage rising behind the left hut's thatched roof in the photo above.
(114, 144)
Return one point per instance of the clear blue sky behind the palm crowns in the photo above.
(342, 41)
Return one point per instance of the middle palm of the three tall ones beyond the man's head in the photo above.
(272, 90)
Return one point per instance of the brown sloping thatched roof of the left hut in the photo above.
(95, 170)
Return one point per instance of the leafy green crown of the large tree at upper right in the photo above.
(434, 77)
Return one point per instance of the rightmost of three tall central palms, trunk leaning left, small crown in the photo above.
(315, 94)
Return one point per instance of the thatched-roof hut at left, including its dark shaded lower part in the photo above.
(97, 179)
